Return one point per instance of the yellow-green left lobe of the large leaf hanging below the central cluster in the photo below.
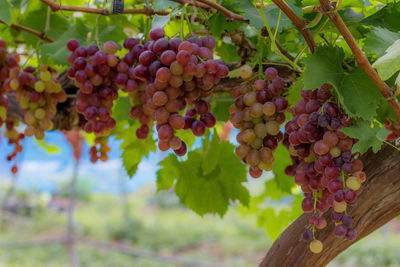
(168, 173)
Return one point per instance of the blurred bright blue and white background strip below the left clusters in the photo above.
(39, 170)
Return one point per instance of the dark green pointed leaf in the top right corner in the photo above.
(387, 17)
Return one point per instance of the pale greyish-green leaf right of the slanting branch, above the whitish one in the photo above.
(379, 39)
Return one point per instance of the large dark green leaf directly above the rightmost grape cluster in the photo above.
(325, 65)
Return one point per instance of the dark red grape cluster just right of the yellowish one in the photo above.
(94, 72)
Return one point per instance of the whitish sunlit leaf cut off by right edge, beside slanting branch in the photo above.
(389, 64)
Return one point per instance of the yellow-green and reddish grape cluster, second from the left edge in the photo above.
(38, 93)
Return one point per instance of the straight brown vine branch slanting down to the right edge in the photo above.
(329, 10)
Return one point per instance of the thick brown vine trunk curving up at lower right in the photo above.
(378, 204)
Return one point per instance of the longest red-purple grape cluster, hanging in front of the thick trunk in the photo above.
(328, 172)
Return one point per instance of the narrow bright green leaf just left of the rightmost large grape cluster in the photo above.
(282, 160)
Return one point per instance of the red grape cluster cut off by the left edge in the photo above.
(7, 62)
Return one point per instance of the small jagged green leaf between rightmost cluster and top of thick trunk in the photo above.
(368, 134)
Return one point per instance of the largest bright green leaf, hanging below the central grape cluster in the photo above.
(211, 192)
